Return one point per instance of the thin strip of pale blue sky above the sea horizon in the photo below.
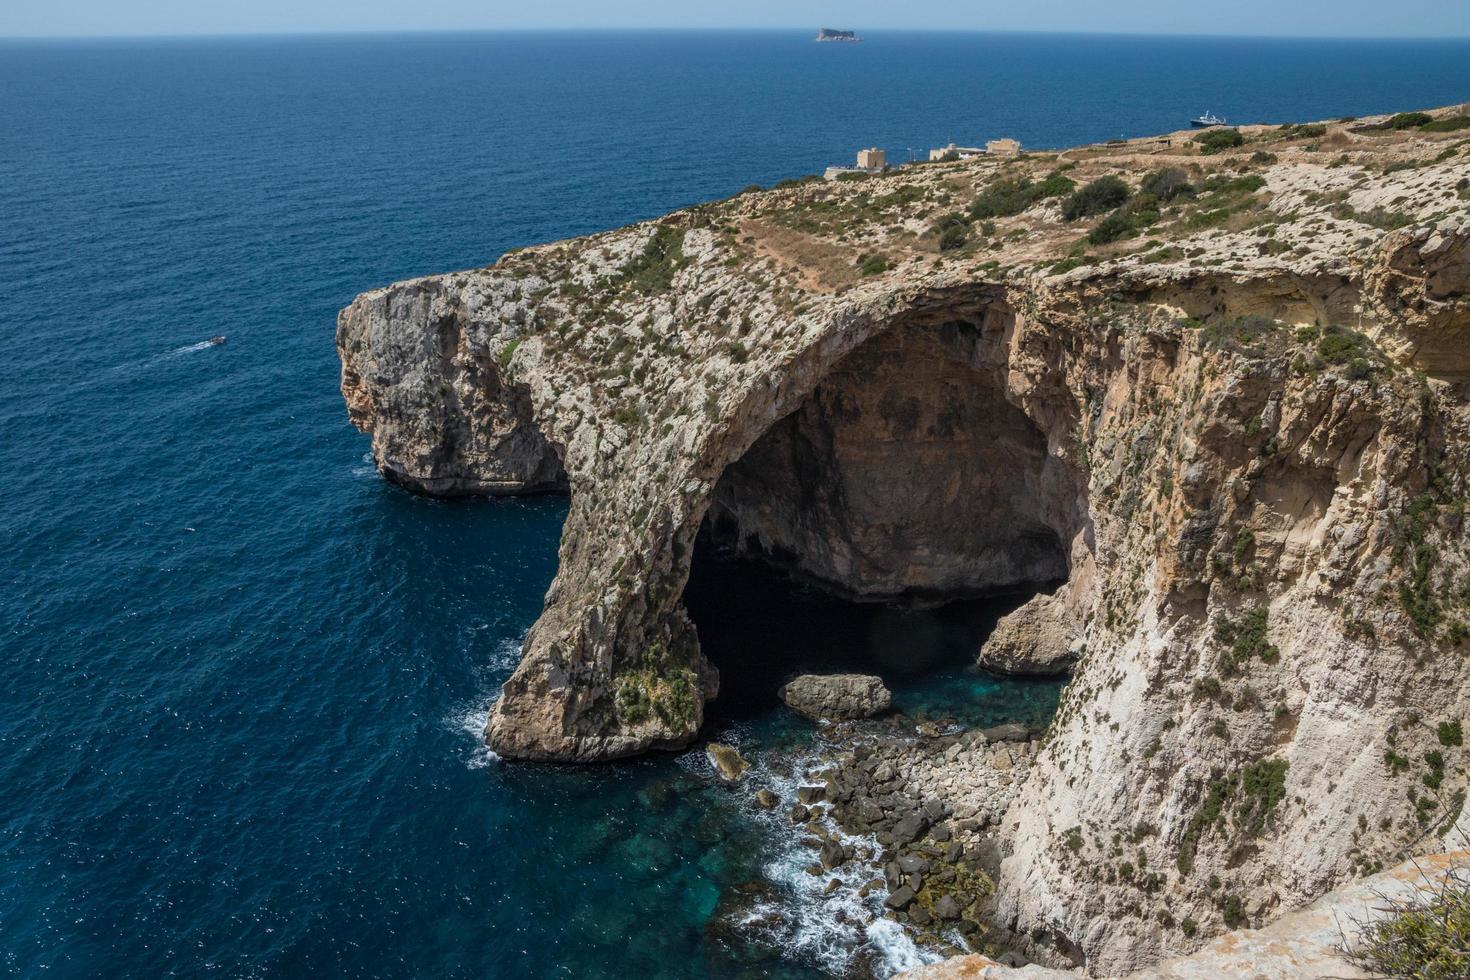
(1318, 18)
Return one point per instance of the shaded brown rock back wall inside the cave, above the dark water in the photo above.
(906, 474)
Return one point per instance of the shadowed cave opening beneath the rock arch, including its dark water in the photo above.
(884, 527)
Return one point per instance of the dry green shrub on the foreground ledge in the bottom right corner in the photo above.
(1425, 937)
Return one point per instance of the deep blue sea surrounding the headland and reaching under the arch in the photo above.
(243, 678)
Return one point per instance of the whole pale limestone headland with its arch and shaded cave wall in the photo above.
(1240, 437)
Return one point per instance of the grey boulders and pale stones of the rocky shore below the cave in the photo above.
(915, 809)
